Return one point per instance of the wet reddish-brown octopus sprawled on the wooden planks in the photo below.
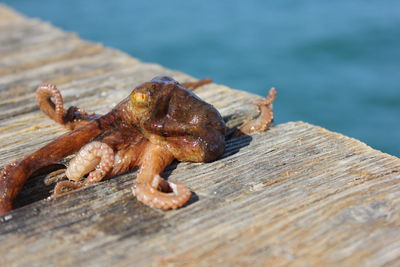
(159, 122)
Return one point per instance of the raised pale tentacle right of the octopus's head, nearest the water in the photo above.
(264, 119)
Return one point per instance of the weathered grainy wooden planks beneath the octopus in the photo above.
(297, 194)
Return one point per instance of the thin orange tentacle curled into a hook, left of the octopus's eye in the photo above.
(72, 118)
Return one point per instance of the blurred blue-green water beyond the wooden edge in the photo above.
(335, 63)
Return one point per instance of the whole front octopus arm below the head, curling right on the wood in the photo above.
(151, 189)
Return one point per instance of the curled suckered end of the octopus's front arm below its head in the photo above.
(151, 194)
